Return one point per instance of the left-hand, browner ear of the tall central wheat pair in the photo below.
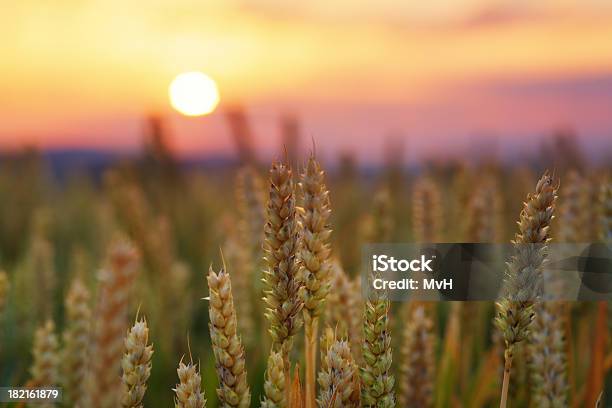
(283, 287)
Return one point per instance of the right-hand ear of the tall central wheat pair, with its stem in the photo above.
(314, 257)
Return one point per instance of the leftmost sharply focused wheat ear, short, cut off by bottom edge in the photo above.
(136, 365)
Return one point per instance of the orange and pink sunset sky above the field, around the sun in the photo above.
(444, 75)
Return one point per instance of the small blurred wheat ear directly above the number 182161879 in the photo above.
(45, 351)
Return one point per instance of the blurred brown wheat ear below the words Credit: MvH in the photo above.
(418, 360)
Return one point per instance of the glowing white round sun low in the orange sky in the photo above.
(194, 94)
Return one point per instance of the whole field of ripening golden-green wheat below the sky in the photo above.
(155, 285)
